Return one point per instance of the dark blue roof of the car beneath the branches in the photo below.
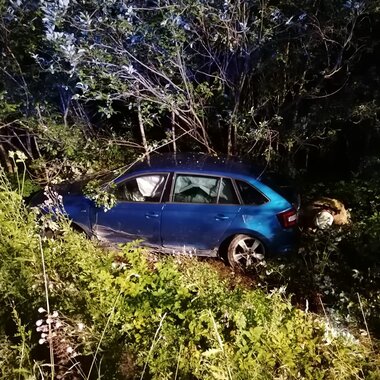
(195, 162)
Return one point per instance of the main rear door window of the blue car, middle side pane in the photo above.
(195, 189)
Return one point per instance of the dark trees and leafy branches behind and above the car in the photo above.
(281, 83)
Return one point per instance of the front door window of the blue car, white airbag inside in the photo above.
(146, 188)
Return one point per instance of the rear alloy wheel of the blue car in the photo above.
(245, 252)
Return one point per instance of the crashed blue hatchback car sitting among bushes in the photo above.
(194, 204)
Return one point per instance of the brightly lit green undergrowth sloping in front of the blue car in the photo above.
(70, 309)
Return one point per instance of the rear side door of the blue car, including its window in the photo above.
(200, 211)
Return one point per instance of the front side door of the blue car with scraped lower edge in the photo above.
(137, 212)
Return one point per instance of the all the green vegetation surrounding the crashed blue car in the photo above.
(89, 86)
